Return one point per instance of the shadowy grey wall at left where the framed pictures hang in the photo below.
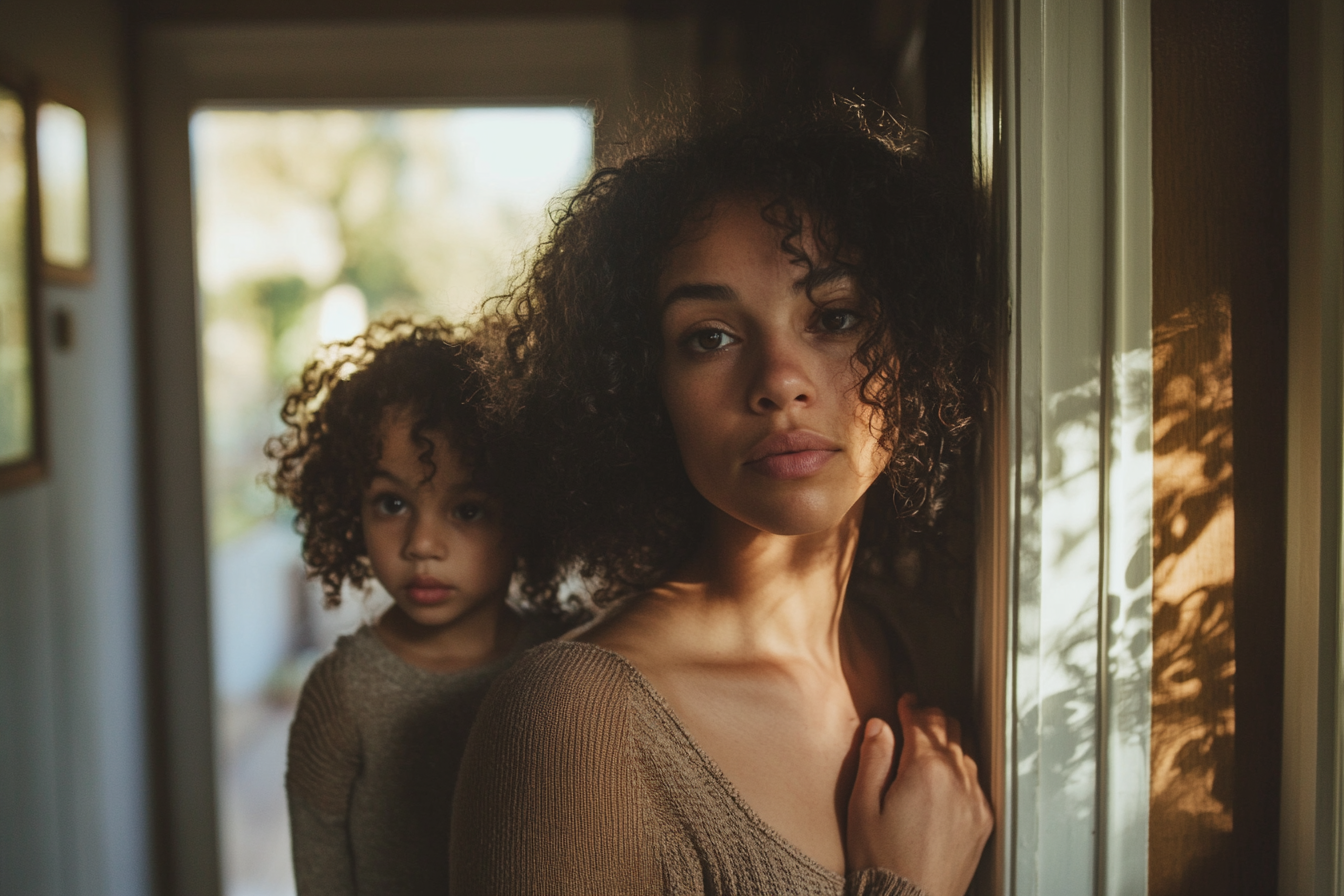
(73, 793)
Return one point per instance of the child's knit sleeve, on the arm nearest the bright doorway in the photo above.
(319, 777)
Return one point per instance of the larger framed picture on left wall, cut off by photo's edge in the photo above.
(22, 440)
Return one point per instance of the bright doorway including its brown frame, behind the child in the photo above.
(393, 99)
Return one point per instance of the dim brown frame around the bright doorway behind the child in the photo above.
(556, 61)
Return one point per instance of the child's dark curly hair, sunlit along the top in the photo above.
(334, 432)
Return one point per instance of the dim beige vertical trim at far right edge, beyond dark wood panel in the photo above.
(1312, 797)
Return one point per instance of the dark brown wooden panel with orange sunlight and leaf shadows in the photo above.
(1220, 384)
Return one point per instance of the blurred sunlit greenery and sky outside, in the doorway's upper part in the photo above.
(311, 224)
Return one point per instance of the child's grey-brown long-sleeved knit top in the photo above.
(374, 752)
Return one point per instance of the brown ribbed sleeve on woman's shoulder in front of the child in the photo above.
(549, 796)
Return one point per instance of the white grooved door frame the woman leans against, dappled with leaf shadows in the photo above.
(1062, 135)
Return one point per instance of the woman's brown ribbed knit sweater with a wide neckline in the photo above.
(579, 780)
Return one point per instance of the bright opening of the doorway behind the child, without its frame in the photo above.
(310, 224)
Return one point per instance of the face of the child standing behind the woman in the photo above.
(439, 546)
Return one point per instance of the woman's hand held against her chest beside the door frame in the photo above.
(932, 824)
